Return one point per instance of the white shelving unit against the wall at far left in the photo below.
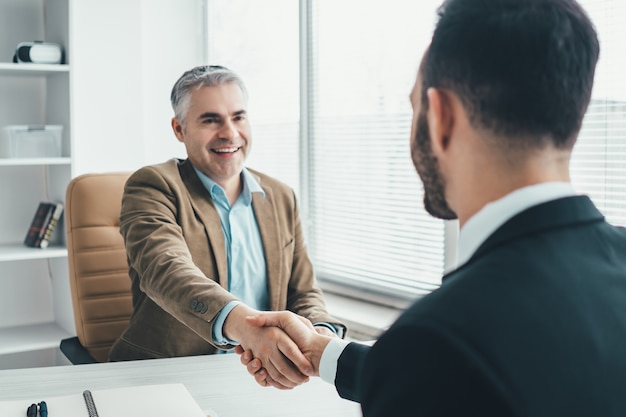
(35, 302)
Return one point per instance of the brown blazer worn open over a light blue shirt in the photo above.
(177, 260)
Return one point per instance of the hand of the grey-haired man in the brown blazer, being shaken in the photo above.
(283, 363)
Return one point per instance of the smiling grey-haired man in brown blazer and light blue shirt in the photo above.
(209, 241)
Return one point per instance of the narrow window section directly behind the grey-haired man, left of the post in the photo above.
(259, 41)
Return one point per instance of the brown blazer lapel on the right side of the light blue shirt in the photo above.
(266, 218)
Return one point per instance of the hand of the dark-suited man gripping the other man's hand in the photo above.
(310, 342)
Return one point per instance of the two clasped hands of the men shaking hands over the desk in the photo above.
(279, 348)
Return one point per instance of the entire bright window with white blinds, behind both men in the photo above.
(329, 84)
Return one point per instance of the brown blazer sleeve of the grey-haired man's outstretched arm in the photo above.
(159, 255)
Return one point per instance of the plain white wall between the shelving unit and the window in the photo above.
(125, 57)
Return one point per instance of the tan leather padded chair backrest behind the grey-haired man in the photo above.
(98, 269)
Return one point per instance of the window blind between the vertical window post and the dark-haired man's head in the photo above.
(368, 228)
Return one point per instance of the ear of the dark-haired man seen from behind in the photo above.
(440, 118)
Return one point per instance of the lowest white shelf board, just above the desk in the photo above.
(31, 338)
